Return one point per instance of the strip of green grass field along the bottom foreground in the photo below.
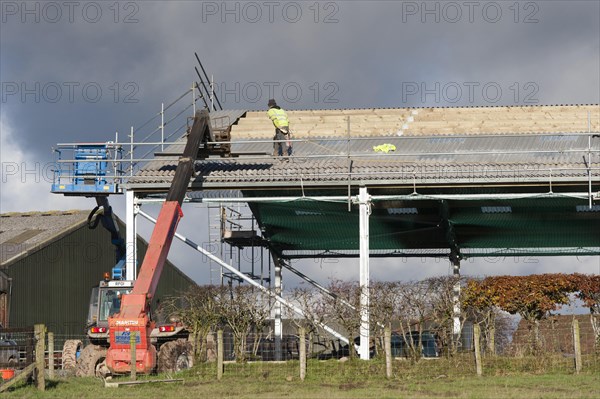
(330, 380)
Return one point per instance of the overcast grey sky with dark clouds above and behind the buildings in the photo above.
(81, 71)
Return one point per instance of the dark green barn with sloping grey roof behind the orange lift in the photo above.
(49, 262)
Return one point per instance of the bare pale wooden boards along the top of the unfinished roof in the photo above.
(425, 121)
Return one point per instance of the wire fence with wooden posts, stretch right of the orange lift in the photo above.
(332, 361)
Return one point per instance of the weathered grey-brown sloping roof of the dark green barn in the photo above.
(16, 239)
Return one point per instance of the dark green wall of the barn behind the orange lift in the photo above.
(53, 285)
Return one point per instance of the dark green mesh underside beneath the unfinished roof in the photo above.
(542, 226)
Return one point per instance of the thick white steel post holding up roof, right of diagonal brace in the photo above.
(364, 212)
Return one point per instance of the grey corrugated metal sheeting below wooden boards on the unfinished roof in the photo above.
(440, 159)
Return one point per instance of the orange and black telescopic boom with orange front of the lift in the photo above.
(135, 307)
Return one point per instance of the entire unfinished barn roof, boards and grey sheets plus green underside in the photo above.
(478, 181)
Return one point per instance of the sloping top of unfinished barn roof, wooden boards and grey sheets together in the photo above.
(443, 145)
